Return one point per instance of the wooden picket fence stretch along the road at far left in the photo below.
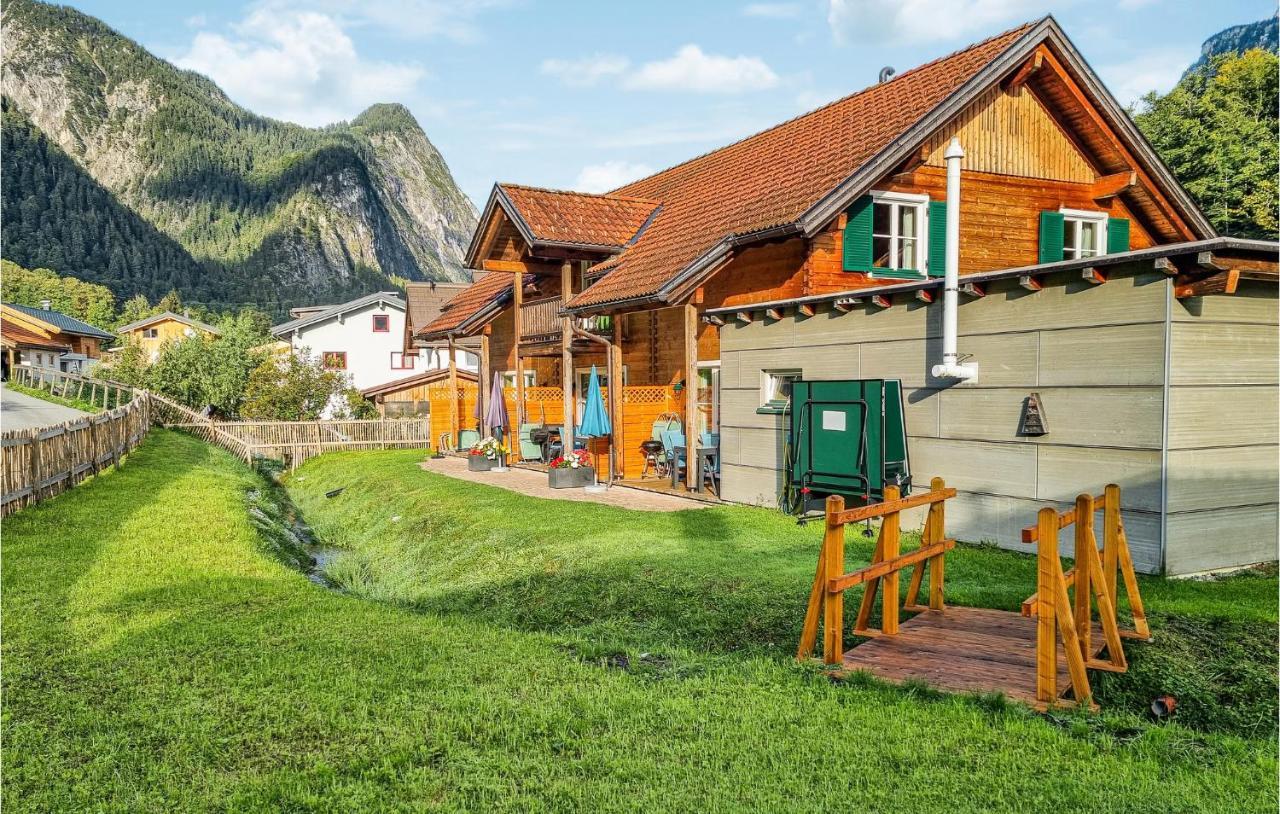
(40, 463)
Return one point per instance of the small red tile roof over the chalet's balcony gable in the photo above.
(560, 217)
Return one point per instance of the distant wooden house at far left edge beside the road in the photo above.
(47, 339)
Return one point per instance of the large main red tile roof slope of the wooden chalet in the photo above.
(772, 179)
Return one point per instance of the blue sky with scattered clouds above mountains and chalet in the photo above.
(589, 95)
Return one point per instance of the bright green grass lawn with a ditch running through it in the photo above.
(159, 656)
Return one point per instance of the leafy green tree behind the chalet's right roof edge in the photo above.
(1217, 131)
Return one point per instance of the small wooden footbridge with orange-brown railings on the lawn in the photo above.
(976, 650)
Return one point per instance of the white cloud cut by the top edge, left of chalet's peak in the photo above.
(924, 21)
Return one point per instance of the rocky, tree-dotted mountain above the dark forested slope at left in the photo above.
(272, 212)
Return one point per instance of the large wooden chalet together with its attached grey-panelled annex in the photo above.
(819, 249)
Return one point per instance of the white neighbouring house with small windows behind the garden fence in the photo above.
(365, 339)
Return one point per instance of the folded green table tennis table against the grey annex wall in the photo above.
(848, 438)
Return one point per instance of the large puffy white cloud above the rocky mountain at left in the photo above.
(298, 66)
